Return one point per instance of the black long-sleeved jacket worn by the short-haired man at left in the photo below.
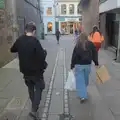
(31, 55)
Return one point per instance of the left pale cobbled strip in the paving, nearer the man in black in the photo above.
(46, 109)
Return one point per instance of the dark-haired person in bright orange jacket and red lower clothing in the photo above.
(96, 37)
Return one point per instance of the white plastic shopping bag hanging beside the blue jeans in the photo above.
(71, 83)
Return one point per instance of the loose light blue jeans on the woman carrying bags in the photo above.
(82, 79)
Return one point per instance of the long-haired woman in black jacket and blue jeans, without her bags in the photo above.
(83, 54)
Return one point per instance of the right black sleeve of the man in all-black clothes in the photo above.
(40, 52)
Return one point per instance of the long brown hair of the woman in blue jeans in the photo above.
(82, 41)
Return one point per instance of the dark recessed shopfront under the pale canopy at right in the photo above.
(110, 28)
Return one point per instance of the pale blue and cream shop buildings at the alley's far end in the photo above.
(61, 14)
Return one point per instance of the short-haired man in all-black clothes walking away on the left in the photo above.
(32, 64)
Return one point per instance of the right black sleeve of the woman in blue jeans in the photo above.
(94, 54)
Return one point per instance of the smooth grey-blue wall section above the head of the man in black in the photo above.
(26, 12)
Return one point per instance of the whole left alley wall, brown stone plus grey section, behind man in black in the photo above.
(16, 12)
